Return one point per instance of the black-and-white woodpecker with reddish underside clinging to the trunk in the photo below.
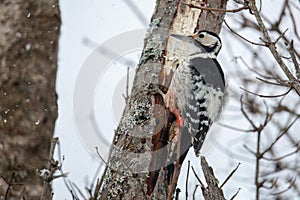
(197, 89)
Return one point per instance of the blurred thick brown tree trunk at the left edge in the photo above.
(28, 57)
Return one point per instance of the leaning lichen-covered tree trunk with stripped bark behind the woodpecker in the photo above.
(144, 145)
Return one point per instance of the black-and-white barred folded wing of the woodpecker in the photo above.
(204, 105)
